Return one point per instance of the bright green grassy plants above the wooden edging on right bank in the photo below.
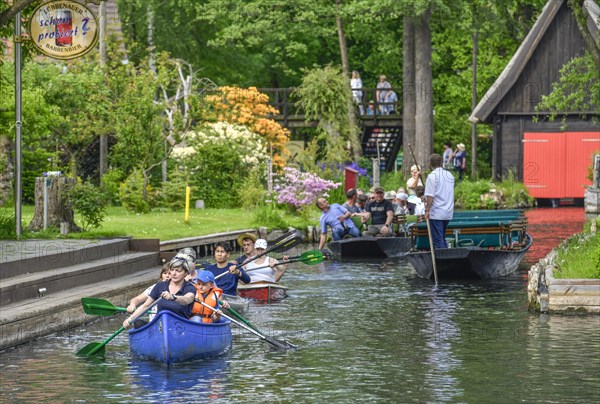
(579, 256)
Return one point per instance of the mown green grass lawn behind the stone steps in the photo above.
(162, 224)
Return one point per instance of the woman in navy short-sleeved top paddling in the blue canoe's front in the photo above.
(177, 293)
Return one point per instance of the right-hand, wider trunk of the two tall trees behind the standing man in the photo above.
(424, 80)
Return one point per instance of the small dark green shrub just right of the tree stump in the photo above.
(90, 203)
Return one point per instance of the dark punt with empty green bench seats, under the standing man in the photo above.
(483, 244)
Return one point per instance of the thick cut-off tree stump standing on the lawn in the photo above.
(59, 207)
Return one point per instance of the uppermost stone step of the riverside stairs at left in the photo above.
(24, 257)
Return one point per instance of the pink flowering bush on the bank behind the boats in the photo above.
(299, 189)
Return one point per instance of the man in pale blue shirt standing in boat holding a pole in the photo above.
(439, 204)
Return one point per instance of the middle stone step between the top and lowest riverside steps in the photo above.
(22, 287)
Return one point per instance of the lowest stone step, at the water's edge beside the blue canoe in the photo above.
(31, 318)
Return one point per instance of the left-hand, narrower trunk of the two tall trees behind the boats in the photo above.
(408, 93)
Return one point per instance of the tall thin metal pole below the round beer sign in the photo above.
(18, 118)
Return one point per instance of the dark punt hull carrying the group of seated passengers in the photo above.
(370, 247)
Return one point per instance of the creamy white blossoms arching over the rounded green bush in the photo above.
(249, 146)
